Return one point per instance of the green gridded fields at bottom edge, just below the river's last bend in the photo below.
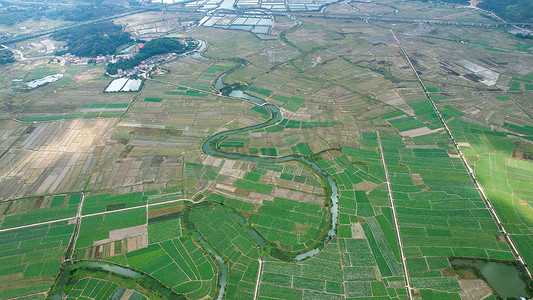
(344, 268)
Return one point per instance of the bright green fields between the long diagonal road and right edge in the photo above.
(504, 174)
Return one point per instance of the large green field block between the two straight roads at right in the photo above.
(440, 215)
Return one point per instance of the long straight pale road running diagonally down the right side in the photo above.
(473, 177)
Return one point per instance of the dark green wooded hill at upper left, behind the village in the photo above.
(92, 40)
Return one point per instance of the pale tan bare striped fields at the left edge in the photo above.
(51, 158)
